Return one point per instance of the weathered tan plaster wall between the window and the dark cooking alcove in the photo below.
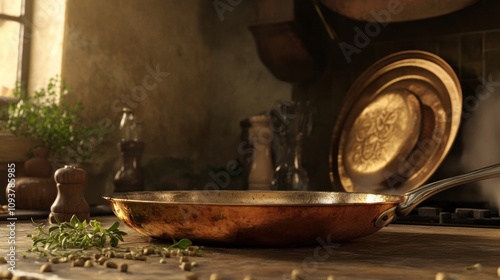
(189, 73)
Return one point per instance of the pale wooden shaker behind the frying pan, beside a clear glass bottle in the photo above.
(261, 171)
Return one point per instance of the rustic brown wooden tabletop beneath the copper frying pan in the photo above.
(396, 252)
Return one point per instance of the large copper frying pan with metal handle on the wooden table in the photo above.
(271, 218)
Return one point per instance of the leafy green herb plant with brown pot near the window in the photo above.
(57, 126)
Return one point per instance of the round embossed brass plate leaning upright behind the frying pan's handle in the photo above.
(398, 122)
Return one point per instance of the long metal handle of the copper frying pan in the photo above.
(416, 196)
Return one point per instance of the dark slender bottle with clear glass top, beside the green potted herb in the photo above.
(130, 177)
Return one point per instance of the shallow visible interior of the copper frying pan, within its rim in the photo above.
(249, 198)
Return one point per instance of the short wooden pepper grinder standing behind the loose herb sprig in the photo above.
(70, 199)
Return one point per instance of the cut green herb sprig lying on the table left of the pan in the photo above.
(74, 234)
